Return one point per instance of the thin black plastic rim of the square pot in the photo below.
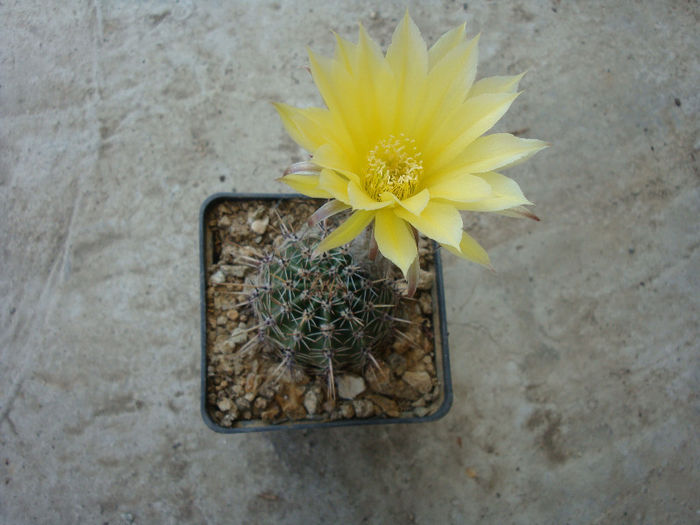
(442, 361)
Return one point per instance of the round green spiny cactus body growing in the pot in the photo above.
(323, 313)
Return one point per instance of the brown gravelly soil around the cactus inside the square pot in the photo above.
(250, 387)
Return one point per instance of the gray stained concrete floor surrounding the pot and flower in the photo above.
(576, 366)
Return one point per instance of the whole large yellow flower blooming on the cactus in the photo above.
(400, 142)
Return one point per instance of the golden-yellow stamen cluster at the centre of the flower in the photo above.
(393, 165)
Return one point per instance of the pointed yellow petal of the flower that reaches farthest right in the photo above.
(491, 152)
